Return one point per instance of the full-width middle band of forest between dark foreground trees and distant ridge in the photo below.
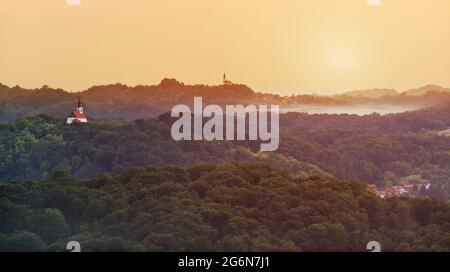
(386, 150)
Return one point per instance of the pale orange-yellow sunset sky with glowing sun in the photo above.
(285, 47)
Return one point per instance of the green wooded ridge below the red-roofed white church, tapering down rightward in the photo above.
(36, 147)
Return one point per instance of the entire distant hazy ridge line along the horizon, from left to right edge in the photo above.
(122, 102)
